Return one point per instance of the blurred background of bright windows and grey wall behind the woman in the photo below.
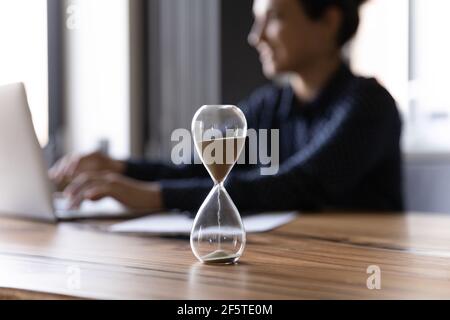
(120, 75)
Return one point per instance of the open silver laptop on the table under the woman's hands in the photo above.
(25, 188)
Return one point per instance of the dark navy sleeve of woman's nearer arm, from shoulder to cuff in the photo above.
(361, 129)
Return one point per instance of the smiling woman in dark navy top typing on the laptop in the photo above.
(339, 133)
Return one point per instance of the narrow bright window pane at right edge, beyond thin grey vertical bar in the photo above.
(429, 100)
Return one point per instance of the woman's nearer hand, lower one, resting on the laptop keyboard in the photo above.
(131, 193)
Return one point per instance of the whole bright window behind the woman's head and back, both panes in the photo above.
(403, 44)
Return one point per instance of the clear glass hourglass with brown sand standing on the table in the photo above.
(219, 133)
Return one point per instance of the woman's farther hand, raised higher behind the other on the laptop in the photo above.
(69, 167)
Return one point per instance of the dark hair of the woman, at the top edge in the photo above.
(315, 9)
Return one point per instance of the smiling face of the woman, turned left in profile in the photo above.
(287, 39)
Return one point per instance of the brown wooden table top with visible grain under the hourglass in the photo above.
(318, 256)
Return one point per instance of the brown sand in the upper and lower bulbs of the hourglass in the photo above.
(219, 165)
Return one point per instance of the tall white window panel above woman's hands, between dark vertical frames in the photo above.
(97, 64)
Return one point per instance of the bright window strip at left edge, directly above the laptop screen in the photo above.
(23, 57)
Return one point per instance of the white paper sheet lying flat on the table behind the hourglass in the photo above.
(181, 224)
